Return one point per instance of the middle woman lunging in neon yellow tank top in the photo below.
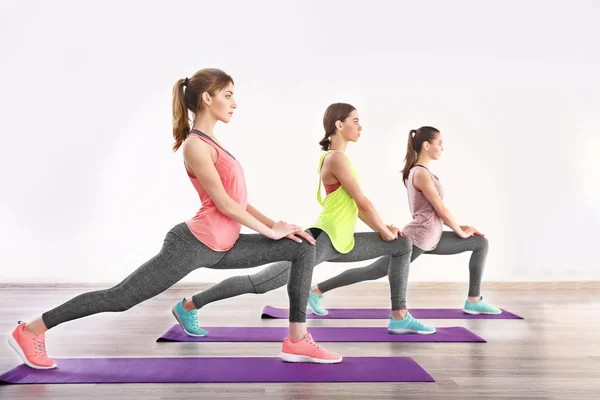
(336, 240)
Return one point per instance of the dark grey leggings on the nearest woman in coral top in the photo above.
(181, 254)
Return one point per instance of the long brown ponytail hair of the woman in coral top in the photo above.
(209, 80)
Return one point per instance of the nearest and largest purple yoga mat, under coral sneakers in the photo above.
(219, 370)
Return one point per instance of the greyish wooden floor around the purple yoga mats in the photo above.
(553, 354)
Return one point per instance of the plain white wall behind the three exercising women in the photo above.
(90, 186)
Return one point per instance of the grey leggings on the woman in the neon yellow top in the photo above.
(368, 245)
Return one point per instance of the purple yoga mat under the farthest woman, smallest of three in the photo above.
(382, 313)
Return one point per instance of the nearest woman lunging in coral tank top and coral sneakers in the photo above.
(211, 239)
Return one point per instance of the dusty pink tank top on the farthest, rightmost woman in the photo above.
(425, 229)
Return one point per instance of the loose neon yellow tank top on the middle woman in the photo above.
(338, 218)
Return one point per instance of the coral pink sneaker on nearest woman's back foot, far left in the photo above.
(31, 348)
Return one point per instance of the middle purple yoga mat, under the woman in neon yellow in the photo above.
(320, 334)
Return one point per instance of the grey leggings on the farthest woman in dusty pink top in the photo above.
(449, 243)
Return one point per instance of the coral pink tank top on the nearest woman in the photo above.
(209, 225)
